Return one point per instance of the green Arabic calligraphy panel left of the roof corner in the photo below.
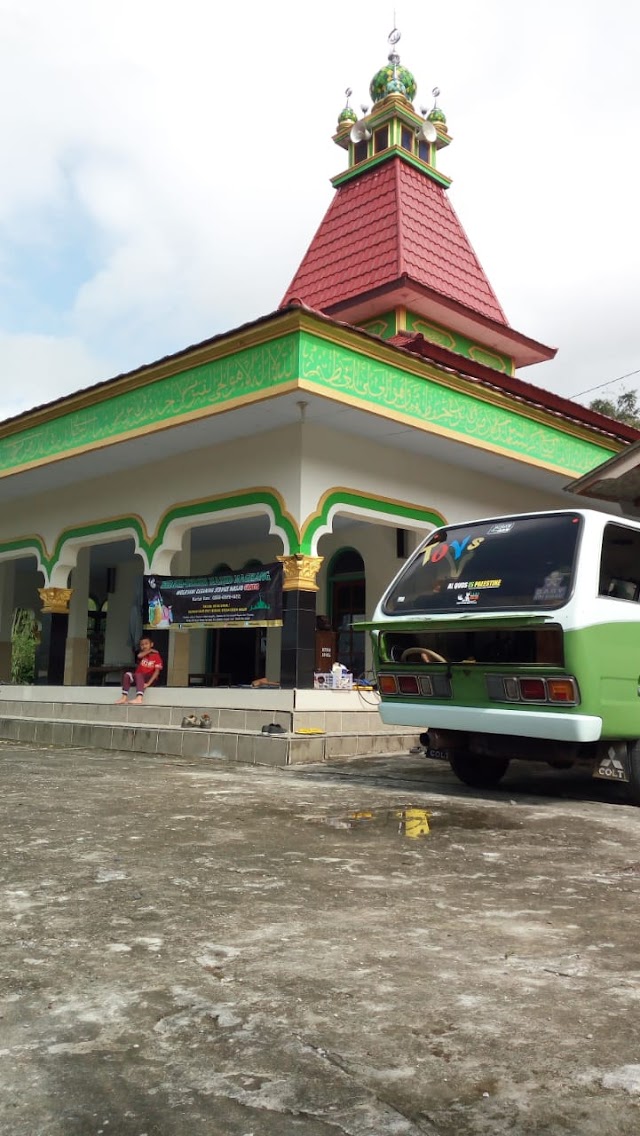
(246, 373)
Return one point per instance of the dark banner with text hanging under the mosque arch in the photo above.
(239, 599)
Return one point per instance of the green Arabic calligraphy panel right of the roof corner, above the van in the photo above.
(370, 381)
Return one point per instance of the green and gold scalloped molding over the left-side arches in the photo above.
(135, 527)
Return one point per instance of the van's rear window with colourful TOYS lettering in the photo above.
(494, 565)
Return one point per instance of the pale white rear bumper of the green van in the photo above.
(560, 728)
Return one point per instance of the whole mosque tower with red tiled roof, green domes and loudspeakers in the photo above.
(392, 255)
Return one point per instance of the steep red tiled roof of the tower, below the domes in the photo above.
(388, 223)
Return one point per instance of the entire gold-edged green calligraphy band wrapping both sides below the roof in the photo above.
(340, 364)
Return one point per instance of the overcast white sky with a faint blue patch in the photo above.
(165, 168)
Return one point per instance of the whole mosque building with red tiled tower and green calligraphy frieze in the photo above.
(327, 438)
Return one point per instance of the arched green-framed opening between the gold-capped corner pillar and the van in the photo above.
(347, 605)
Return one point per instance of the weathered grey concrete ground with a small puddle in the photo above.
(202, 949)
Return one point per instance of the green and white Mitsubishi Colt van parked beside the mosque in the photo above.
(518, 638)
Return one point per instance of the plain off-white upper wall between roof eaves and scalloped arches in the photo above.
(301, 463)
